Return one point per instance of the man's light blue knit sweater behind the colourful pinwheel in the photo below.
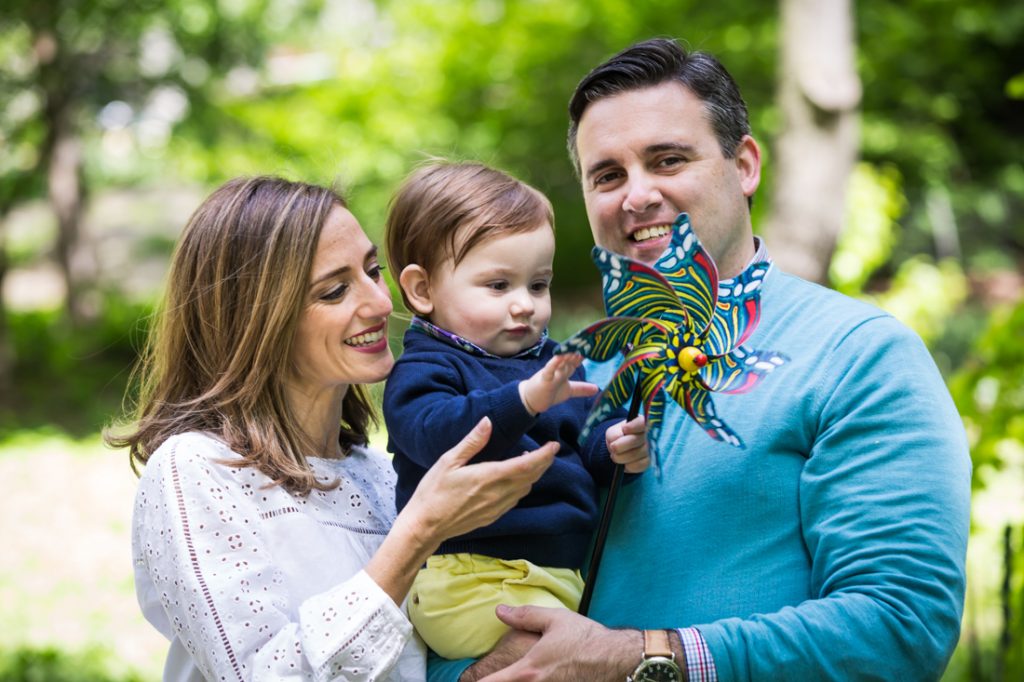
(833, 548)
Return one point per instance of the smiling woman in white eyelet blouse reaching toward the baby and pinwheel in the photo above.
(265, 535)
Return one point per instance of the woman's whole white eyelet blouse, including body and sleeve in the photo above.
(249, 582)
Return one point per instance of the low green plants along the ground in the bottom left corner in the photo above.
(51, 665)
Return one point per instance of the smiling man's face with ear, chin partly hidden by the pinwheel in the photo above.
(648, 155)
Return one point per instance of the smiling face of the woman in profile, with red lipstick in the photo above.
(343, 334)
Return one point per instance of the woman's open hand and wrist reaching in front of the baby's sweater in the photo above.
(454, 498)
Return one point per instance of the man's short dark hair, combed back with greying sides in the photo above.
(660, 61)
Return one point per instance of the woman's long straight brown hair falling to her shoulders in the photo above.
(220, 354)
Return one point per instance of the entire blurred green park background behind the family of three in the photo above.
(117, 118)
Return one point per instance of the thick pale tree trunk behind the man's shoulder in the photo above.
(819, 96)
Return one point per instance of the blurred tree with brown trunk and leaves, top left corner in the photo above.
(78, 68)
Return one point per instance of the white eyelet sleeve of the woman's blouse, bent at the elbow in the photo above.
(199, 546)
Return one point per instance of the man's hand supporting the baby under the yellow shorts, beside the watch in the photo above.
(571, 648)
